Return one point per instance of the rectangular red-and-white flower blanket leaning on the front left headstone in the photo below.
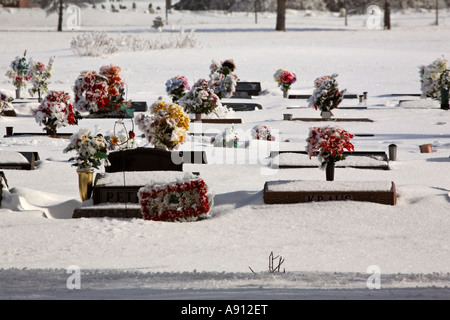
(187, 200)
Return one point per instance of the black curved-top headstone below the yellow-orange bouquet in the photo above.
(142, 159)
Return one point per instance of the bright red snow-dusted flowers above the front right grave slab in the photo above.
(329, 142)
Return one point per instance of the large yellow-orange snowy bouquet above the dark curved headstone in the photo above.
(166, 127)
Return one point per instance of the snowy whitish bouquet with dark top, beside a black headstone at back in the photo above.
(222, 78)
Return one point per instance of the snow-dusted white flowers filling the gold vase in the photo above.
(91, 150)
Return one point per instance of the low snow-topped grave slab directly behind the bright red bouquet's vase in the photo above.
(376, 160)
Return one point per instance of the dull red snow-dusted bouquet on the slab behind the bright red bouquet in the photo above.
(326, 95)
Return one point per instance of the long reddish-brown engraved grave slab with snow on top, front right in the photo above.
(288, 192)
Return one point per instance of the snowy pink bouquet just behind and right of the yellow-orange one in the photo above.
(200, 99)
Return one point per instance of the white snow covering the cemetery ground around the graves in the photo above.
(328, 246)
